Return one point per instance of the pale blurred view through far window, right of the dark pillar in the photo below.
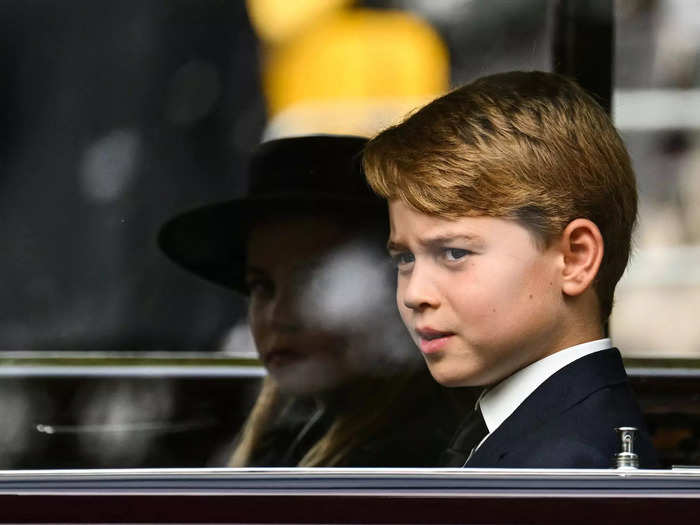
(656, 108)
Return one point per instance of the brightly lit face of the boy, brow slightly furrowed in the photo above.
(479, 297)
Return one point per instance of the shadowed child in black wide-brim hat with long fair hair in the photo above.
(345, 387)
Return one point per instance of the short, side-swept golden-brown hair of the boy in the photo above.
(530, 146)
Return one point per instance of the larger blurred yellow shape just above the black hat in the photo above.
(357, 54)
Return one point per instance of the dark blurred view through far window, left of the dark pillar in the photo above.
(114, 116)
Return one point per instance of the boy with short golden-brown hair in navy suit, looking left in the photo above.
(512, 202)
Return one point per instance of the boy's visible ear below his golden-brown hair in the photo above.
(582, 246)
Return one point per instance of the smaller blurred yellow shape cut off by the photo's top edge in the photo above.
(278, 20)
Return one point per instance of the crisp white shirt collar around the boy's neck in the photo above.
(500, 401)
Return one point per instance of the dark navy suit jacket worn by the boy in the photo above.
(569, 421)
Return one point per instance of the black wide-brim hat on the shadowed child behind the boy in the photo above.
(316, 175)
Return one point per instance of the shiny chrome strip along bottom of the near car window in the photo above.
(441, 483)
